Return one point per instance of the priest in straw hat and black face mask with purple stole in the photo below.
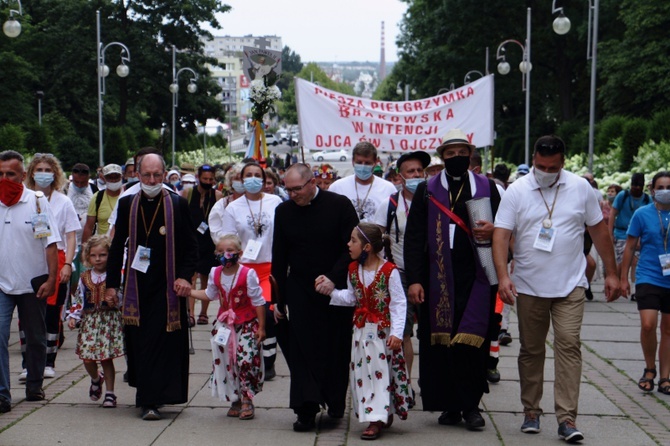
(456, 300)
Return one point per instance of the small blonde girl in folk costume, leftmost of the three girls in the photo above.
(100, 324)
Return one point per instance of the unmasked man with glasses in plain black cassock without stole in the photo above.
(311, 232)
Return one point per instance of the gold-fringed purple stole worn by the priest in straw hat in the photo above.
(475, 321)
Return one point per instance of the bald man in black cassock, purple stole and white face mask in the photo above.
(162, 255)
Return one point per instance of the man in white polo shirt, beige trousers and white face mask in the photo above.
(547, 209)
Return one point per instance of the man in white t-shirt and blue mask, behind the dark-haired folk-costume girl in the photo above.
(365, 190)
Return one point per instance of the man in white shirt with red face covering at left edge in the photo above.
(29, 260)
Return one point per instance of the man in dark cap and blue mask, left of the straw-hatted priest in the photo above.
(392, 216)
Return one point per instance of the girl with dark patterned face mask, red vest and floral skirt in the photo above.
(238, 330)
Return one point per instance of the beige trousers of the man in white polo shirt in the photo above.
(566, 314)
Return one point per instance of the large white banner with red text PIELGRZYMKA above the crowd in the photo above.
(332, 120)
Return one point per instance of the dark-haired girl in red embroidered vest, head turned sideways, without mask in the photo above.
(378, 377)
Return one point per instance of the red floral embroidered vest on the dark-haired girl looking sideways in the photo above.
(372, 302)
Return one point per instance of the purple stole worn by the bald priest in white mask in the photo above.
(131, 308)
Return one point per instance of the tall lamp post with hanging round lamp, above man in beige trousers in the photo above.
(561, 26)
